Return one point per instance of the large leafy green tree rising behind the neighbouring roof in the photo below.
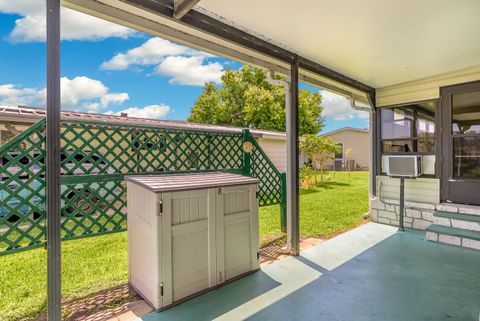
(246, 98)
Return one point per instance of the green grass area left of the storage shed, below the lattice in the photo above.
(89, 265)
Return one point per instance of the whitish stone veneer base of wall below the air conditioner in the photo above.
(417, 215)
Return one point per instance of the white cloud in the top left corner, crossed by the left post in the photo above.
(75, 25)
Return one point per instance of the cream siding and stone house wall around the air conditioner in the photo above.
(422, 195)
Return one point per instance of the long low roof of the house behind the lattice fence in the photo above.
(31, 114)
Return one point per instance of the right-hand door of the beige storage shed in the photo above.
(237, 231)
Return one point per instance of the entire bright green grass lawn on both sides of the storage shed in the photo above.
(97, 263)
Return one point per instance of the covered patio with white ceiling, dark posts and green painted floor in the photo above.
(379, 55)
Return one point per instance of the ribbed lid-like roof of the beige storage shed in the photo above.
(177, 182)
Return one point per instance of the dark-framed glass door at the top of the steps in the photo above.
(460, 119)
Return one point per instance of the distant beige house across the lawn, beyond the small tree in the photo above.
(355, 139)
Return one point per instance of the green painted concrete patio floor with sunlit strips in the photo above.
(367, 274)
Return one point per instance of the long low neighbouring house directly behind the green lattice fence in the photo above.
(15, 119)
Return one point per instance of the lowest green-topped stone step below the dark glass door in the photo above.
(453, 236)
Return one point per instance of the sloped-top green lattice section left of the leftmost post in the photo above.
(22, 193)
